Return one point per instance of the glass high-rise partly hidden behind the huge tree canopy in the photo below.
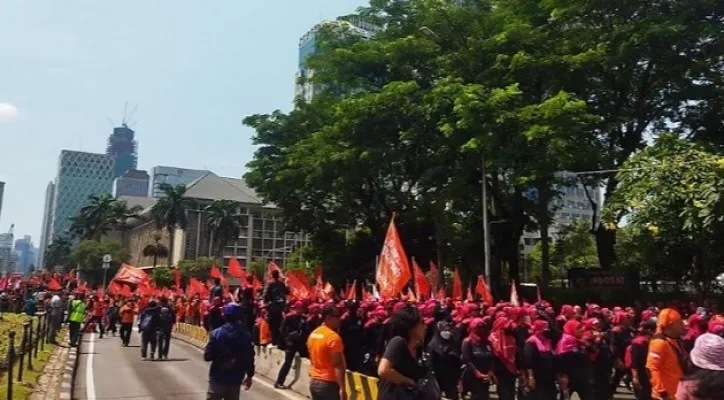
(305, 89)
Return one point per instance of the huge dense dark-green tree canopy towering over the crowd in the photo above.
(531, 89)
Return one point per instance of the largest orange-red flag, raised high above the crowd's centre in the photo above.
(393, 270)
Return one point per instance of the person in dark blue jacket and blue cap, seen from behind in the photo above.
(231, 353)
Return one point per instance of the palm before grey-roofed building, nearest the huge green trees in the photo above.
(224, 222)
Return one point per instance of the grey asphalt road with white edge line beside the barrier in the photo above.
(106, 370)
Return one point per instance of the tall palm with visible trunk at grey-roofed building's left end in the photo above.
(170, 211)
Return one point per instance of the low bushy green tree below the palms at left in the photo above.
(88, 256)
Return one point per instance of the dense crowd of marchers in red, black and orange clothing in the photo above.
(520, 351)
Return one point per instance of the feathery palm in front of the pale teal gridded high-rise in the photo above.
(94, 219)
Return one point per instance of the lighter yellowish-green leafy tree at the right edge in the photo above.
(670, 195)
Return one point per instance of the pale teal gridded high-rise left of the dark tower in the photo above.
(80, 175)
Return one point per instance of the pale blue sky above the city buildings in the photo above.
(193, 68)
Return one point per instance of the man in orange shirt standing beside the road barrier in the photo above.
(326, 354)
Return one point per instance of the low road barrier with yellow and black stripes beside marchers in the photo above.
(269, 360)
